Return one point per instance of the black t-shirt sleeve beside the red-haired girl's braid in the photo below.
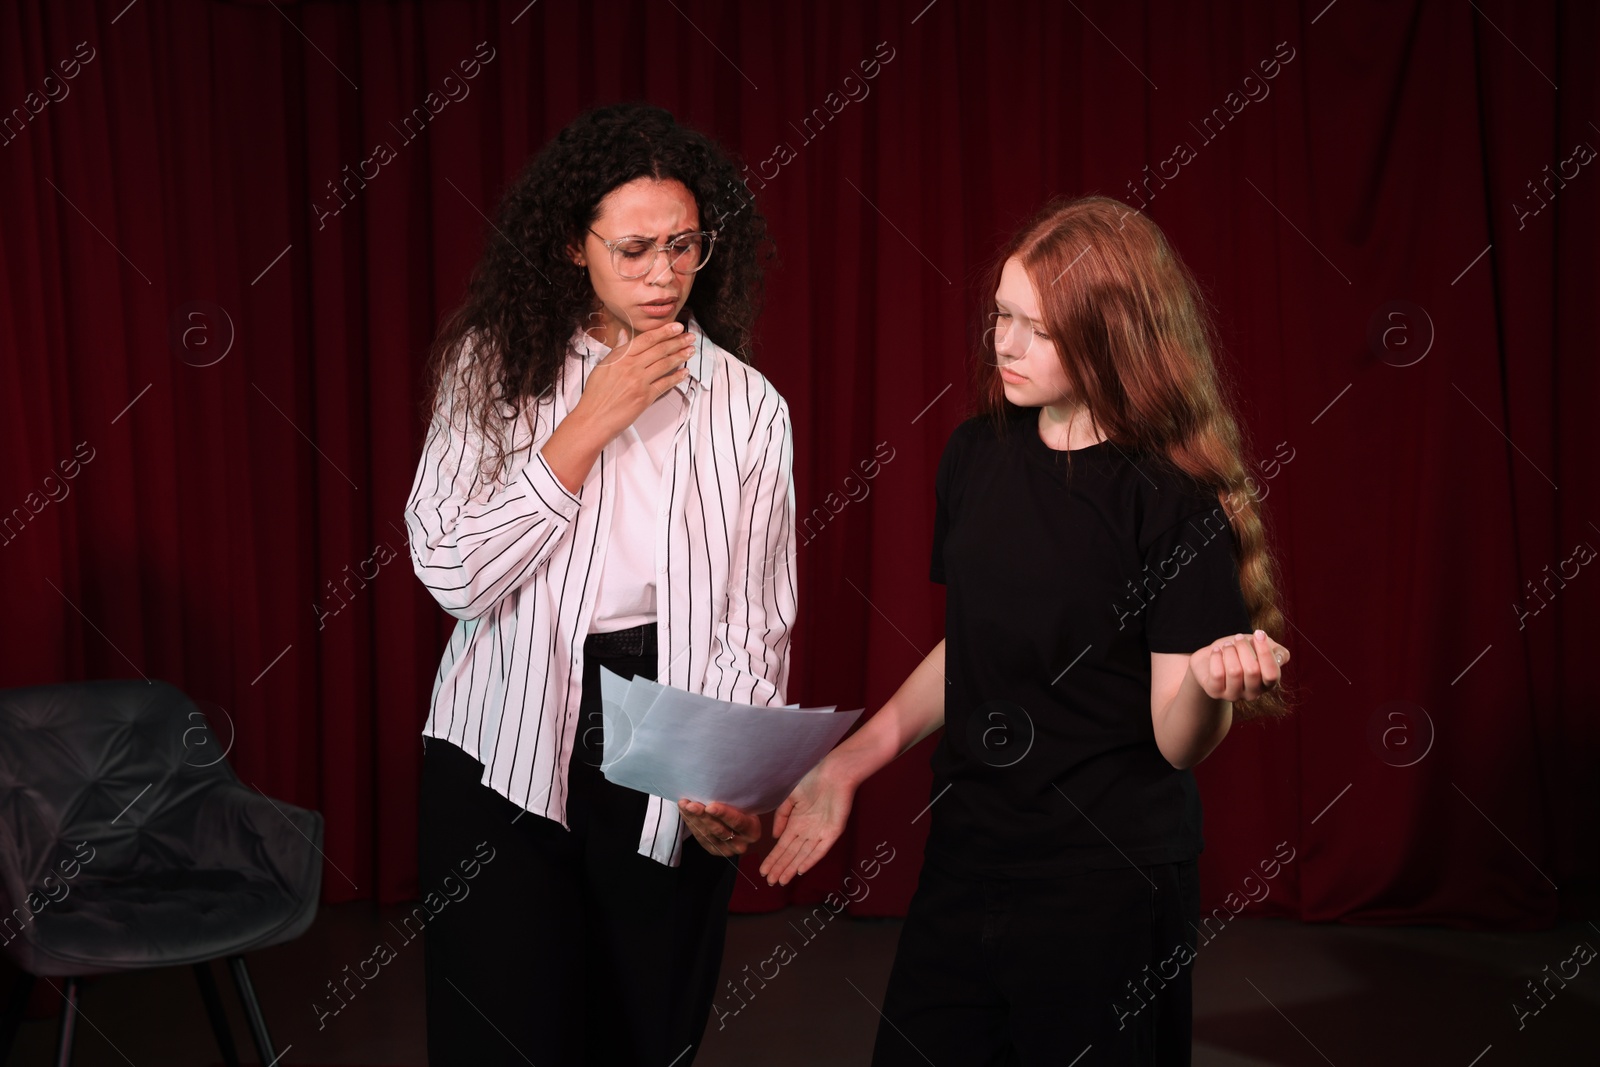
(1199, 599)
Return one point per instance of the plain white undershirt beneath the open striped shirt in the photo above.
(626, 596)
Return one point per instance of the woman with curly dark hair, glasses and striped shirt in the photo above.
(606, 482)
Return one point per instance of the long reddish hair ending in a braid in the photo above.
(1137, 343)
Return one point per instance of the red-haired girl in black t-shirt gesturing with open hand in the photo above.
(1111, 613)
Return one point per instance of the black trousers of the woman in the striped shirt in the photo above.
(567, 948)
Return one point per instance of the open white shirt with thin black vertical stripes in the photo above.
(518, 561)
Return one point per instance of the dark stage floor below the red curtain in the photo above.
(1268, 994)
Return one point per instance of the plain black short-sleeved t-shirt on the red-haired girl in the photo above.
(1065, 572)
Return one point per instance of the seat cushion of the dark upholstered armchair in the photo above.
(164, 919)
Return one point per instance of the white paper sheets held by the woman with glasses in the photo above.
(679, 745)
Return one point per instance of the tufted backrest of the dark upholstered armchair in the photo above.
(100, 775)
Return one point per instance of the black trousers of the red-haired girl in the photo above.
(1038, 970)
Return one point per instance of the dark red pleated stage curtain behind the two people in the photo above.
(212, 412)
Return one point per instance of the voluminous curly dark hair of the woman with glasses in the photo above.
(526, 298)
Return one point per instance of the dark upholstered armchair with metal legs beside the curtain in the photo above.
(129, 844)
